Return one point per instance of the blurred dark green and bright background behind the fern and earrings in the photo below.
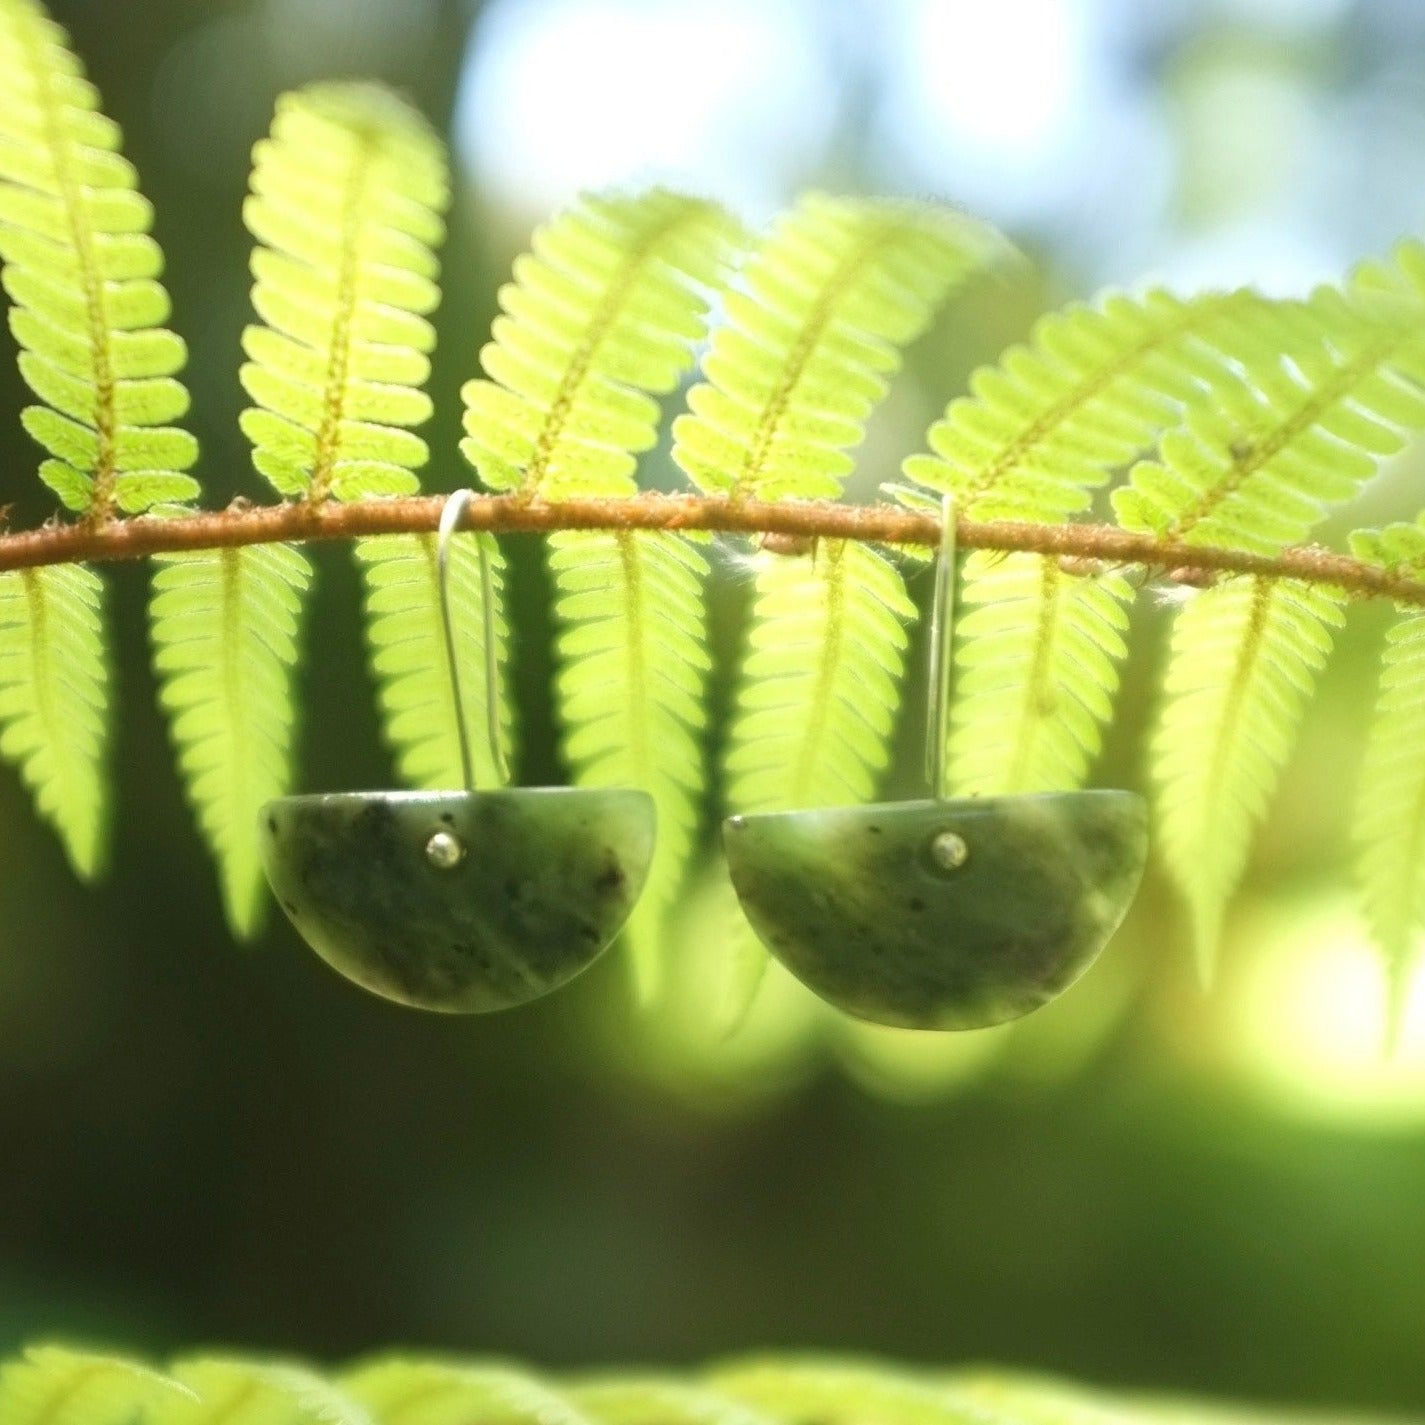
(1144, 1185)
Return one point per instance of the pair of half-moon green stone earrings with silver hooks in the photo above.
(938, 914)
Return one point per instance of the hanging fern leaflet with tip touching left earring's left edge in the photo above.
(224, 625)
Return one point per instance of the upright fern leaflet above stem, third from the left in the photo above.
(605, 311)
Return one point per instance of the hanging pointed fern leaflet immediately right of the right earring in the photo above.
(1243, 665)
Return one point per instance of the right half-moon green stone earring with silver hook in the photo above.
(941, 914)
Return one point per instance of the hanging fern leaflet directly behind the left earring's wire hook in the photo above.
(410, 662)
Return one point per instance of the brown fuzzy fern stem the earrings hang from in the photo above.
(1087, 549)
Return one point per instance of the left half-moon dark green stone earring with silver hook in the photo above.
(461, 901)
